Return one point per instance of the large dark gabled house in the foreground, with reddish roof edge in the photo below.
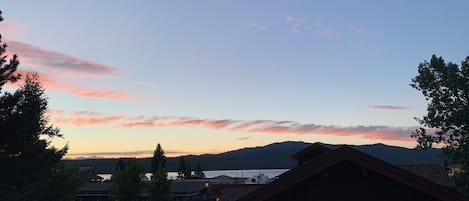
(348, 174)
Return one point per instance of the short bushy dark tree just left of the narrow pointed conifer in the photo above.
(127, 182)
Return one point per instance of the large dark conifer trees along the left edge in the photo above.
(30, 169)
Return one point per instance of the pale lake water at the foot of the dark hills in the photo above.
(271, 173)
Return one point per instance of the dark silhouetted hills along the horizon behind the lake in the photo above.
(273, 156)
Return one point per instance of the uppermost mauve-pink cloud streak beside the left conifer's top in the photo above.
(37, 57)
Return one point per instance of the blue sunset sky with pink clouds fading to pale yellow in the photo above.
(213, 76)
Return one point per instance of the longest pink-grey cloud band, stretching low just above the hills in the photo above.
(270, 127)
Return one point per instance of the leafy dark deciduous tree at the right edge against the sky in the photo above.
(446, 89)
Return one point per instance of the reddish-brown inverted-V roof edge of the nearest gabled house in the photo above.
(345, 153)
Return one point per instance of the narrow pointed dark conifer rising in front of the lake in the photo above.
(160, 187)
